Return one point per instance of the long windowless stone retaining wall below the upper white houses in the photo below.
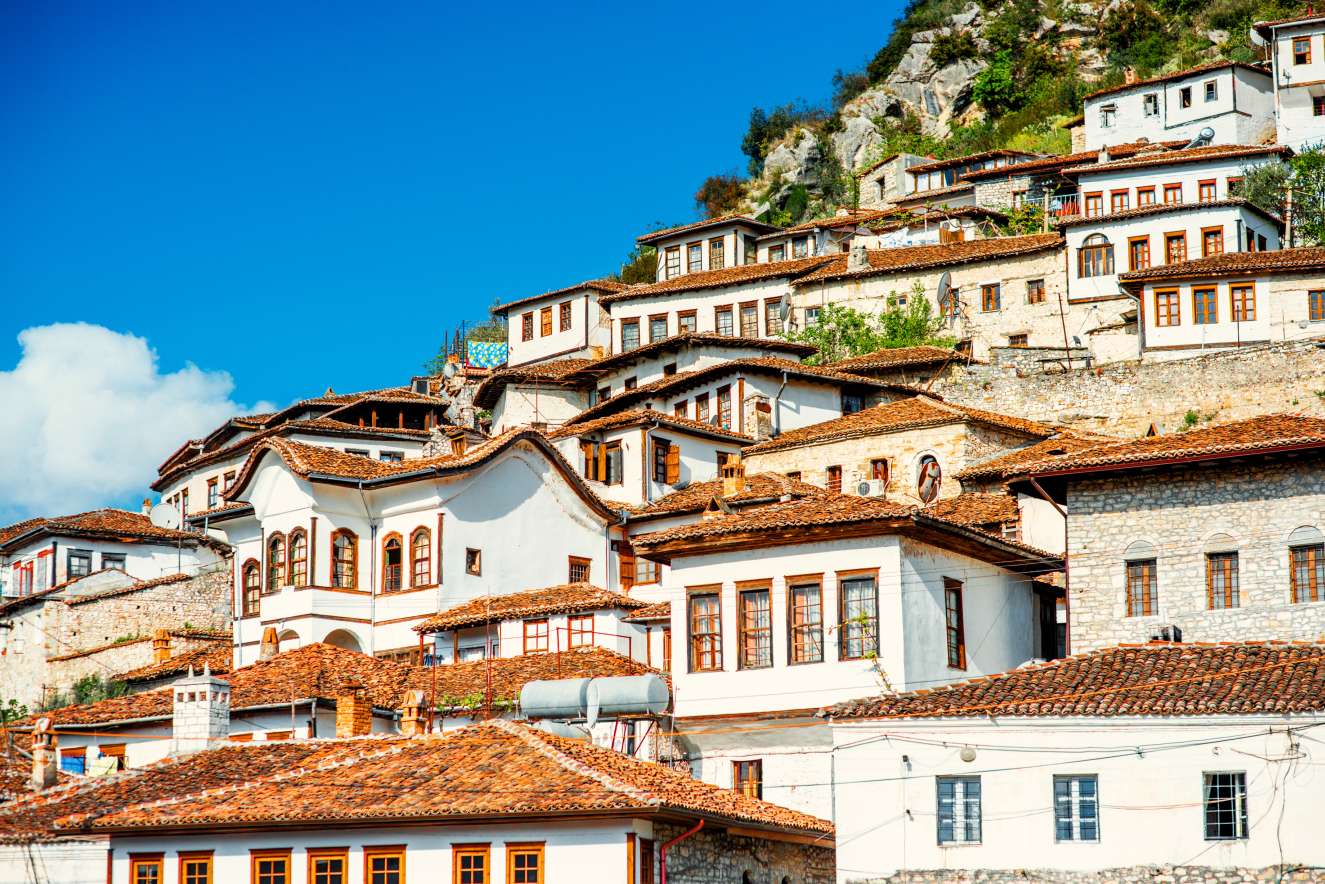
(1127, 398)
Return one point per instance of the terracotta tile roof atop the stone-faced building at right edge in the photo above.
(1255, 435)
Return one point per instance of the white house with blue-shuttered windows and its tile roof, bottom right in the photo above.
(1111, 764)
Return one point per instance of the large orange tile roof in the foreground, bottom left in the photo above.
(438, 779)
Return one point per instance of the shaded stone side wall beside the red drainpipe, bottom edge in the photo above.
(714, 857)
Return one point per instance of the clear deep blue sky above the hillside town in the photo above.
(311, 195)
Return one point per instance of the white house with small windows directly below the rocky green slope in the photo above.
(1234, 100)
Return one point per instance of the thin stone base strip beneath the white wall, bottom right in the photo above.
(1130, 875)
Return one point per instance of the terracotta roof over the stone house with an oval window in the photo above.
(896, 417)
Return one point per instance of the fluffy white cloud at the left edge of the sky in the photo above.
(89, 417)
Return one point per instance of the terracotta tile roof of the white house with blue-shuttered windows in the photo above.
(1157, 679)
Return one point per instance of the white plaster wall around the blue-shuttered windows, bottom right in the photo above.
(1151, 801)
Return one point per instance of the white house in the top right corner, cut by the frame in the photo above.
(1298, 67)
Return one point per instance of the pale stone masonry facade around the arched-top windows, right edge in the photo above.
(1179, 516)
